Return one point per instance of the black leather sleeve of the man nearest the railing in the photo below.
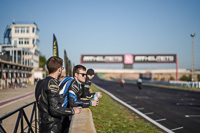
(54, 101)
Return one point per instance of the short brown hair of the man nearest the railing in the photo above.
(53, 63)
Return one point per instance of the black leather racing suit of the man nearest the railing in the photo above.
(49, 106)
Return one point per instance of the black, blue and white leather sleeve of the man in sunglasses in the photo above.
(75, 94)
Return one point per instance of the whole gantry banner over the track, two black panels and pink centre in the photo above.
(129, 58)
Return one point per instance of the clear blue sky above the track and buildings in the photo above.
(111, 27)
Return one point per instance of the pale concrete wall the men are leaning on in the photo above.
(82, 123)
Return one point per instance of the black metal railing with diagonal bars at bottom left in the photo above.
(31, 125)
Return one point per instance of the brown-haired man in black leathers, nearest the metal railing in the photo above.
(48, 99)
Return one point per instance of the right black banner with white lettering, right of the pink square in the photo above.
(169, 58)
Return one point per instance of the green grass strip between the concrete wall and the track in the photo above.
(111, 117)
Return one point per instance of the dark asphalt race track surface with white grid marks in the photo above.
(177, 110)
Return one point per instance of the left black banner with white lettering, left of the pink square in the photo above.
(102, 58)
